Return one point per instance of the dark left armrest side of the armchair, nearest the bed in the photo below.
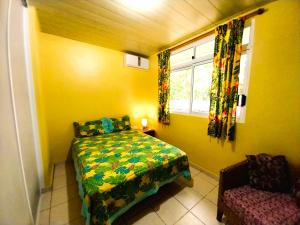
(233, 176)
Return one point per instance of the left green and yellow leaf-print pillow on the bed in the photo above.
(89, 128)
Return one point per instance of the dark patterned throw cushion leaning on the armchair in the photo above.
(268, 173)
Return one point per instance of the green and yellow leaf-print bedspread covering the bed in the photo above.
(117, 170)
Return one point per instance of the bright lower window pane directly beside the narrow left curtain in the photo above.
(180, 90)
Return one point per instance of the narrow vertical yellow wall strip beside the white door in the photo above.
(40, 104)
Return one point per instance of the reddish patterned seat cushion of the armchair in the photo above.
(256, 207)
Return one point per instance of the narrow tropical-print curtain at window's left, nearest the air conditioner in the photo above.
(164, 86)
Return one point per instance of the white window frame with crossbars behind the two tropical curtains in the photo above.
(247, 49)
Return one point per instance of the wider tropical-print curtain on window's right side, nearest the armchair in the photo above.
(225, 80)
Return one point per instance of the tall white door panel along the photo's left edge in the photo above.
(19, 192)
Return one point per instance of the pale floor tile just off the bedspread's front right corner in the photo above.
(188, 197)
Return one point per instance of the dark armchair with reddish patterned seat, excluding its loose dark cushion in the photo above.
(244, 205)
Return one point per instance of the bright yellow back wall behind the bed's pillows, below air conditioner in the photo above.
(83, 82)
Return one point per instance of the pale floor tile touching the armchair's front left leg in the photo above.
(206, 211)
